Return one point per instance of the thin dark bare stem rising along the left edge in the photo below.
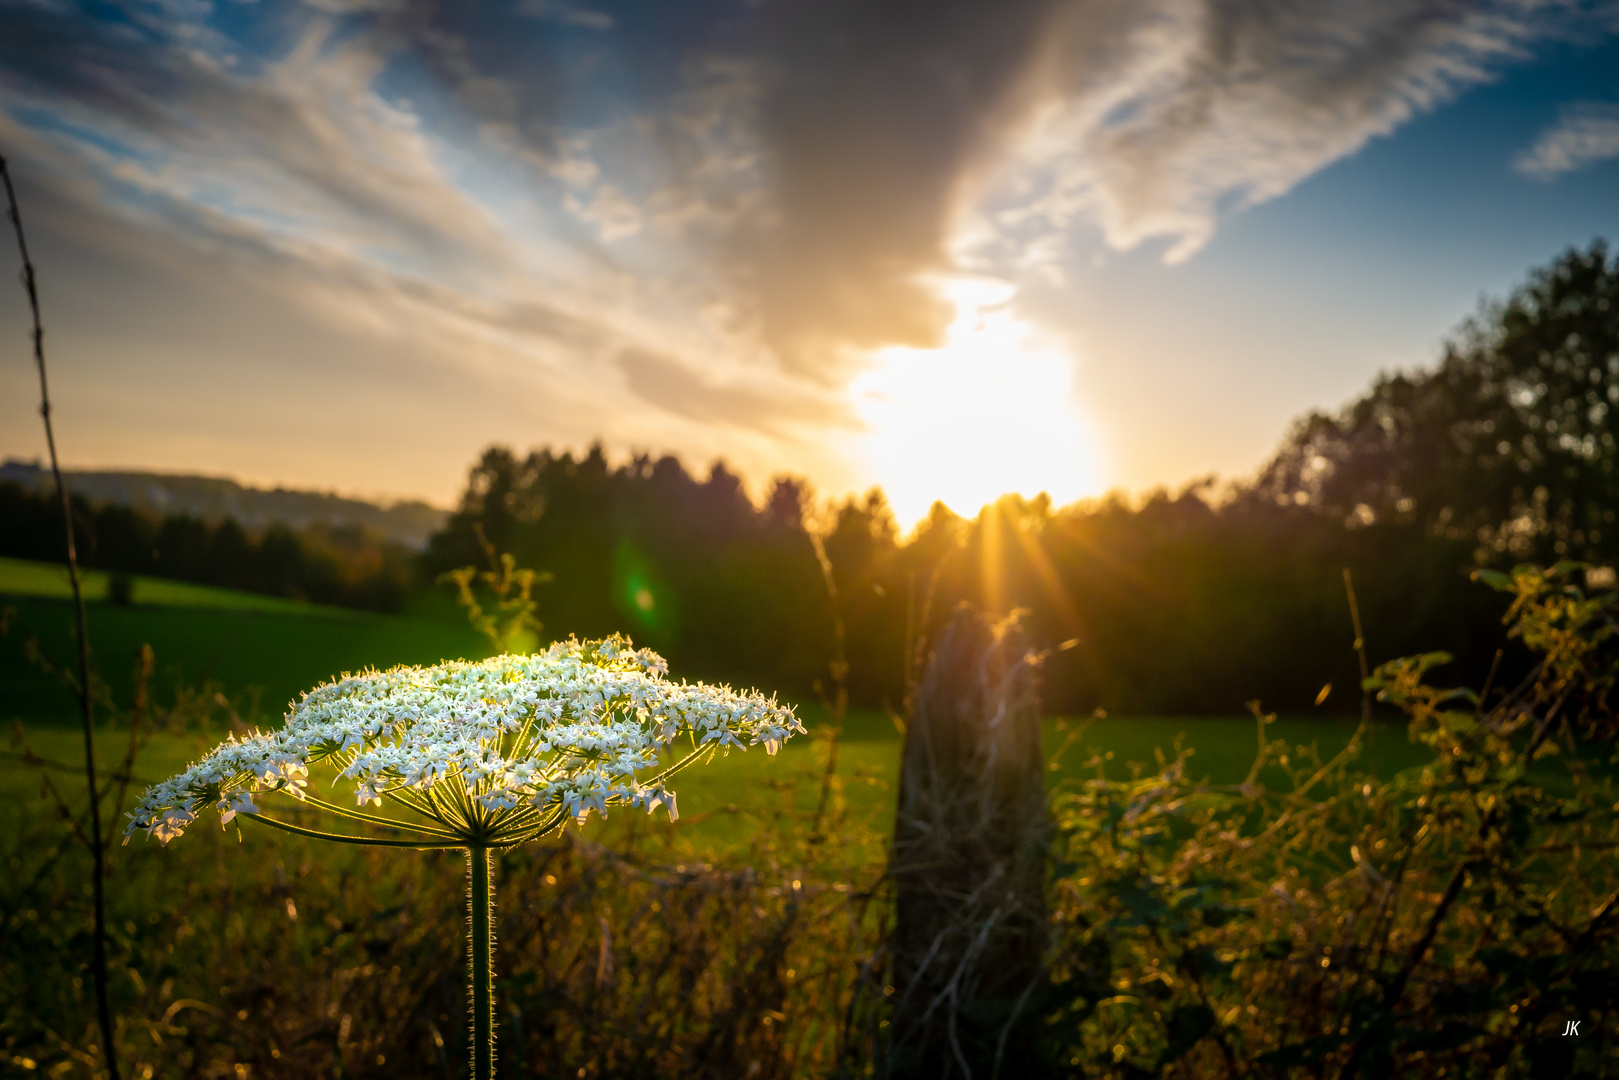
(98, 843)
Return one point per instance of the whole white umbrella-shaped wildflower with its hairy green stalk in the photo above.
(477, 757)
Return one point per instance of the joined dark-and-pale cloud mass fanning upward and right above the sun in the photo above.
(906, 143)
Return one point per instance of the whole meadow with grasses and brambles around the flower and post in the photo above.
(752, 937)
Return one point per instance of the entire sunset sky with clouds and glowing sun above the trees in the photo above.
(950, 249)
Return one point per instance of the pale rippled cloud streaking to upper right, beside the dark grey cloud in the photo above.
(1160, 121)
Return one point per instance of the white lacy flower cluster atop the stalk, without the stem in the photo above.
(561, 731)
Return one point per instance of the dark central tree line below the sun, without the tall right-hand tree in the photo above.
(1171, 605)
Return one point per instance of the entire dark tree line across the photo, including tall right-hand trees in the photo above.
(1191, 602)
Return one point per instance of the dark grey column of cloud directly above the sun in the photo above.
(875, 117)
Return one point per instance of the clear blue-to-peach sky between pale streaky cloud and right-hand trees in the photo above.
(1364, 266)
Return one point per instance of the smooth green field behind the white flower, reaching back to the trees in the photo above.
(263, 652)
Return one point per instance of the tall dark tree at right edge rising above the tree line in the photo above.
(1510, 443)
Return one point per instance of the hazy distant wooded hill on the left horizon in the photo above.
(215, 498)
